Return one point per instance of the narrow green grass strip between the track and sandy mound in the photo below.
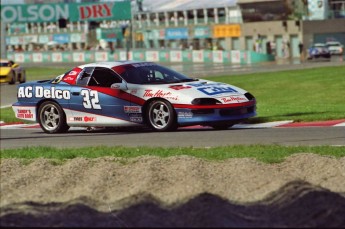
(263, 153)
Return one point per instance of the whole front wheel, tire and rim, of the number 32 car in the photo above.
(161, 116)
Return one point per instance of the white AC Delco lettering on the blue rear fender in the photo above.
(41, 92)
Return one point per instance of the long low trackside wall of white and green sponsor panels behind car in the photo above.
(191, 56)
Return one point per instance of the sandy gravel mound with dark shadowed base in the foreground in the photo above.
(305, 190)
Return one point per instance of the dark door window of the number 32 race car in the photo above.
(103, 77)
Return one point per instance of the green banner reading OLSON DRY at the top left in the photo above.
(52, 12)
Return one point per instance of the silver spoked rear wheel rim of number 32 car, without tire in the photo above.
(50, 117)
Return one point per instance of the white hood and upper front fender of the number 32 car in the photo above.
(185, 93)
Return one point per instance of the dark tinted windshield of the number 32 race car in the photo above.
(150, 73)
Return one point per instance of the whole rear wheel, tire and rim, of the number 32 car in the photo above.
(52, 118)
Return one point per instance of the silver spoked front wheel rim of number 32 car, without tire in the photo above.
(159, 115)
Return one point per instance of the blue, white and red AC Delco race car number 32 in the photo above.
(128, 93)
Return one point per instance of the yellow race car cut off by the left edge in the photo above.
(11, 72)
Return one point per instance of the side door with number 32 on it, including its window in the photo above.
(94, 101)
